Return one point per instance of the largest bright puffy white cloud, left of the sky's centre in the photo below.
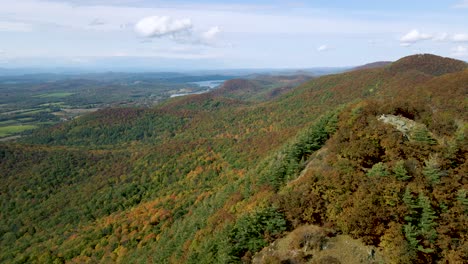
(159, 26)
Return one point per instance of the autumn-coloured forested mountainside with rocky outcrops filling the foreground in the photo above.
(253, 172)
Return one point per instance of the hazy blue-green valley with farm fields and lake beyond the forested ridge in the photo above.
(31, 101)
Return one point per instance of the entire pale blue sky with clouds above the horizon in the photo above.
(237, 34)
